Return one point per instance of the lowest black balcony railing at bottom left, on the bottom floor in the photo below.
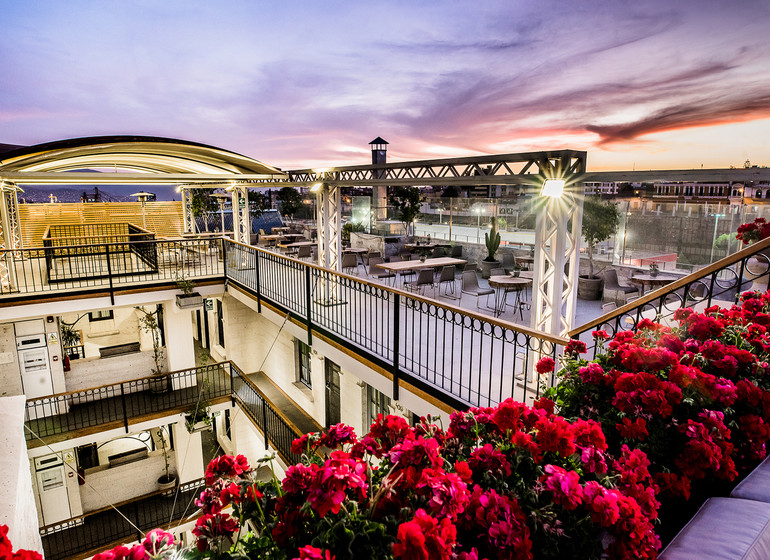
(106, 527)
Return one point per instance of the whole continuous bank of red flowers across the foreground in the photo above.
(661, 415)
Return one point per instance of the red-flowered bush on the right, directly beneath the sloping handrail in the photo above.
(693, 398)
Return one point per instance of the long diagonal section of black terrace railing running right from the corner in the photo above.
(460, 357)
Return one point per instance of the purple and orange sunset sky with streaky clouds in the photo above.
(638, 84)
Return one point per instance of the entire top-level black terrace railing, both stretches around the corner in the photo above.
(458, 356)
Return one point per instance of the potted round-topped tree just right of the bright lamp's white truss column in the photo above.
(600, 218)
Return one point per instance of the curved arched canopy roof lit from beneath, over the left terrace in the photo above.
(139, 158)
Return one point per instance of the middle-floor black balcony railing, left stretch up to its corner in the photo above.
(120, 403)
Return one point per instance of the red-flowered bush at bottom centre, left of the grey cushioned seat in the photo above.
(504, 482)
